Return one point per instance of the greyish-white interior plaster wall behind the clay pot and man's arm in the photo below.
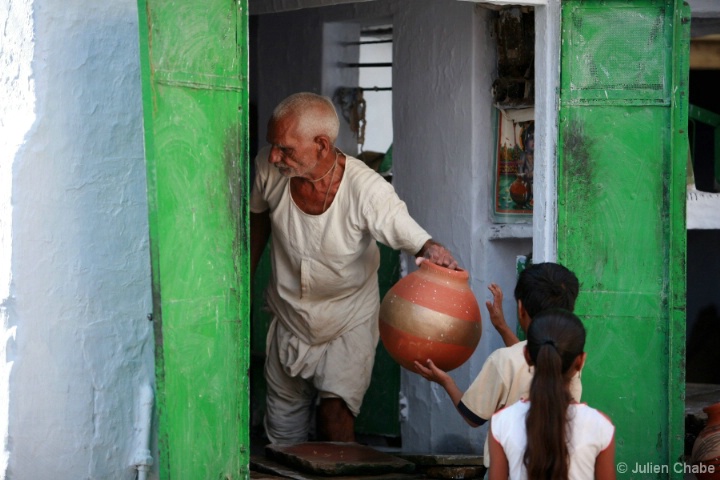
(443, 160)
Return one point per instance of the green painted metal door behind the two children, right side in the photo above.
(621, 213)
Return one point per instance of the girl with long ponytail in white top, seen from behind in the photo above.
(549, 436)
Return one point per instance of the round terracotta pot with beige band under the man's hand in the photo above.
(431, 313)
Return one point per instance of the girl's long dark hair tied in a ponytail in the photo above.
(555, 339)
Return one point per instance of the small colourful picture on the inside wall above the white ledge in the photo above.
(514, 161)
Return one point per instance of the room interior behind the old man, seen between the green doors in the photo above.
(432, 102)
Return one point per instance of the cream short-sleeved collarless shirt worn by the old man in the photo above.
(324, 279)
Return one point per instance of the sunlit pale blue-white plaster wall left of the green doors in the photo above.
(74, 239)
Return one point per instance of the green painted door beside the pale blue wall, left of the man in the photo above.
(194, 76)
